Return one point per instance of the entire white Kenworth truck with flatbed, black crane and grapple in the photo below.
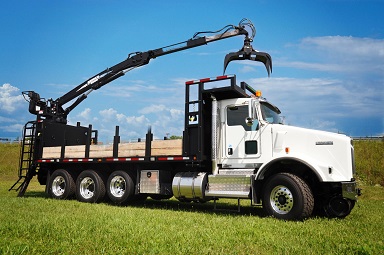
(234, 145)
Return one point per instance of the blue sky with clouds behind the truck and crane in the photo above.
(328, 60)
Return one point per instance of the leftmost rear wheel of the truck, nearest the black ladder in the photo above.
(61, 184)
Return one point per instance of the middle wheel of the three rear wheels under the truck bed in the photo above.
(90, 187)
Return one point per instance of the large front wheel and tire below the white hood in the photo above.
(286, 196)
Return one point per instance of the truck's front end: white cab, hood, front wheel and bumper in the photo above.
(254, 141)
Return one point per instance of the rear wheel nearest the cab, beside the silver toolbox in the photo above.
(120, 187)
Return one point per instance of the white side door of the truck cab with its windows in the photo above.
(242, 141)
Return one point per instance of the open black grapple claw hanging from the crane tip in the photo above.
(248, 53)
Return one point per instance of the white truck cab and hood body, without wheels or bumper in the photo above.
(254, 134)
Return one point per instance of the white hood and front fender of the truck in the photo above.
(329, 153)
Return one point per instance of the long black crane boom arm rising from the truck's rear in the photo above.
(53, 109)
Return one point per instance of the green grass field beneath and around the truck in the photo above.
(35, 224)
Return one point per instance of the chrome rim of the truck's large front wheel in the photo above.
(281, 199)
